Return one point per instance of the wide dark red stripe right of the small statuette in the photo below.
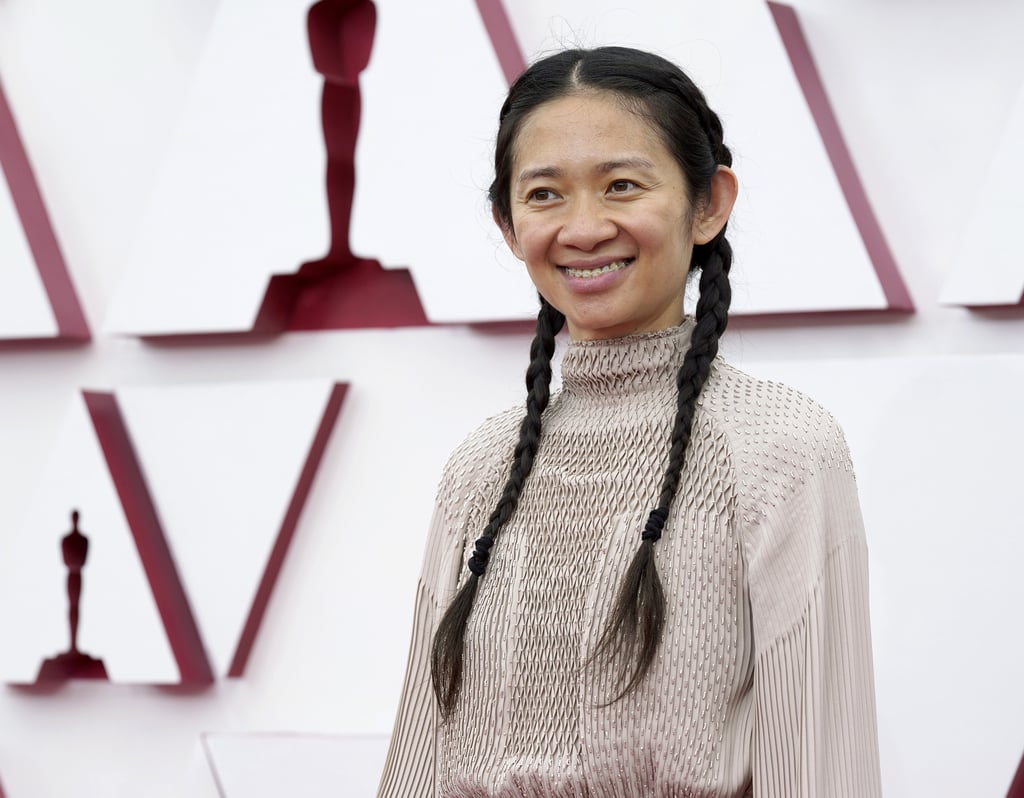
(158, 562)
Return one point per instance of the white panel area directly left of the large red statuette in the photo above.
(240, 195)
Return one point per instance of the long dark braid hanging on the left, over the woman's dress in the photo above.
(447, 655)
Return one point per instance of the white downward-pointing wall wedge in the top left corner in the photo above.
(96, 90)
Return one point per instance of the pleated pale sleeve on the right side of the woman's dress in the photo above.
(816, 731)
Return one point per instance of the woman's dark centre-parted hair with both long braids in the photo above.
(675, 108)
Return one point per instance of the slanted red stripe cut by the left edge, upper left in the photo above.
(38, 231)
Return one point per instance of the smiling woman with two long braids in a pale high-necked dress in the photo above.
(666, 593)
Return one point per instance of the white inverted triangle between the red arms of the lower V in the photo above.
(223, 463)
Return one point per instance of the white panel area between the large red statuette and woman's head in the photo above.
(423, 162)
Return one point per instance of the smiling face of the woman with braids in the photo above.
(602, 218)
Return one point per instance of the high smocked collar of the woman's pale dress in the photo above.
(635, 363)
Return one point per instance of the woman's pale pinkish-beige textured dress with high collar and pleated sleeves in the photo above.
(763, 684)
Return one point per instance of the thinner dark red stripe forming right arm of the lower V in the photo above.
(291, 521)
